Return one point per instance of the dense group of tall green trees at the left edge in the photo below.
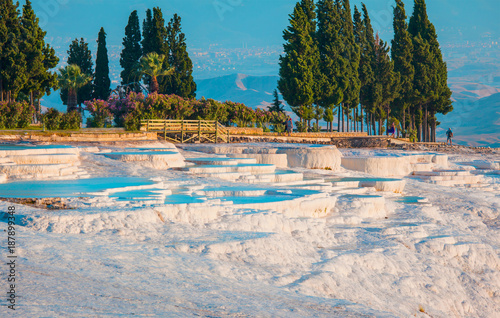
(25, 59)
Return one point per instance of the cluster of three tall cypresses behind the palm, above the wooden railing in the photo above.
(165, 40)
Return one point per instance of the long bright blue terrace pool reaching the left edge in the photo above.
(67, 188)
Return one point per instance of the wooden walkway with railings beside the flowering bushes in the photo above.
(184, 131)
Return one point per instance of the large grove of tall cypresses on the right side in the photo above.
(335, 64)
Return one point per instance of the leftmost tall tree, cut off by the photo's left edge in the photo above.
(12, 60)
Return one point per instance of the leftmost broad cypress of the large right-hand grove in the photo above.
(297, 66)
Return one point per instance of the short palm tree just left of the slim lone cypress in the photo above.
(71, 78)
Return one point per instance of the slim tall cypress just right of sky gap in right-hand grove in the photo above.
(402, 55)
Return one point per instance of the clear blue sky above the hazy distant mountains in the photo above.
(233, 23)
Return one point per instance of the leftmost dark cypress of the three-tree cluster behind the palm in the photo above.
(132, 51)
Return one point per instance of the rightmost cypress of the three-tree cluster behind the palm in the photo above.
(181, 82)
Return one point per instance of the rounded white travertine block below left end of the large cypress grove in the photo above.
(313, 157)
